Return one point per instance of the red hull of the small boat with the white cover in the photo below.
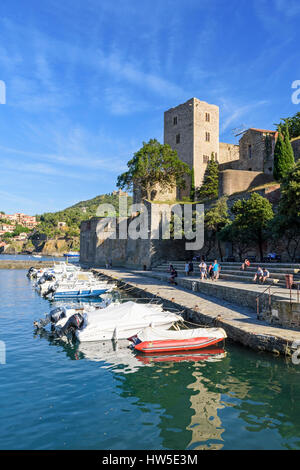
(148, 347)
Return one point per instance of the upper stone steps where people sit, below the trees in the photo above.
(231, 271)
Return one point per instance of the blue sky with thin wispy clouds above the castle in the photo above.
(88, 81)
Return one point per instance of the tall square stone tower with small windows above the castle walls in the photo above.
(192, 128)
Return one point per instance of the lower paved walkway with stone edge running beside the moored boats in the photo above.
(240, 323)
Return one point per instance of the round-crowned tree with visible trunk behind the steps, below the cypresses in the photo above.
(251, 220)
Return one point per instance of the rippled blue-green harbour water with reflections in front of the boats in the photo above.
(59, 396)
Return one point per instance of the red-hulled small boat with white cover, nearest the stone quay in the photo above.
(156, 340)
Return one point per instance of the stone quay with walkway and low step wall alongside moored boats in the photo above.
(239, 320)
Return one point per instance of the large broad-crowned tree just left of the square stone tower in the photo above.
(154, 164)
